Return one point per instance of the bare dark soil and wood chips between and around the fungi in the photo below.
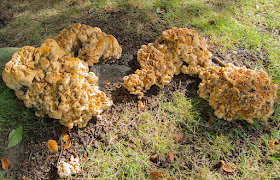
(31, 159)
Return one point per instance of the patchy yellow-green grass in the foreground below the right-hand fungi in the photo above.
(127, 153)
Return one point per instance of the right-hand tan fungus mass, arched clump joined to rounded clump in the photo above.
(233, 92)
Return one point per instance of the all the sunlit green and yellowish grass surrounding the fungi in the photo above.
(228, 25)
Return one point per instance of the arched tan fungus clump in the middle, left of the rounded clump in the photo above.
(165, 57)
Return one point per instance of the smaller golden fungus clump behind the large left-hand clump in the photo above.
(88, 43)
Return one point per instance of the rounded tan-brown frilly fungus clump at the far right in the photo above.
(238, 92)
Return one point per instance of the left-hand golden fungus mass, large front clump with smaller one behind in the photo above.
(53, 78)
